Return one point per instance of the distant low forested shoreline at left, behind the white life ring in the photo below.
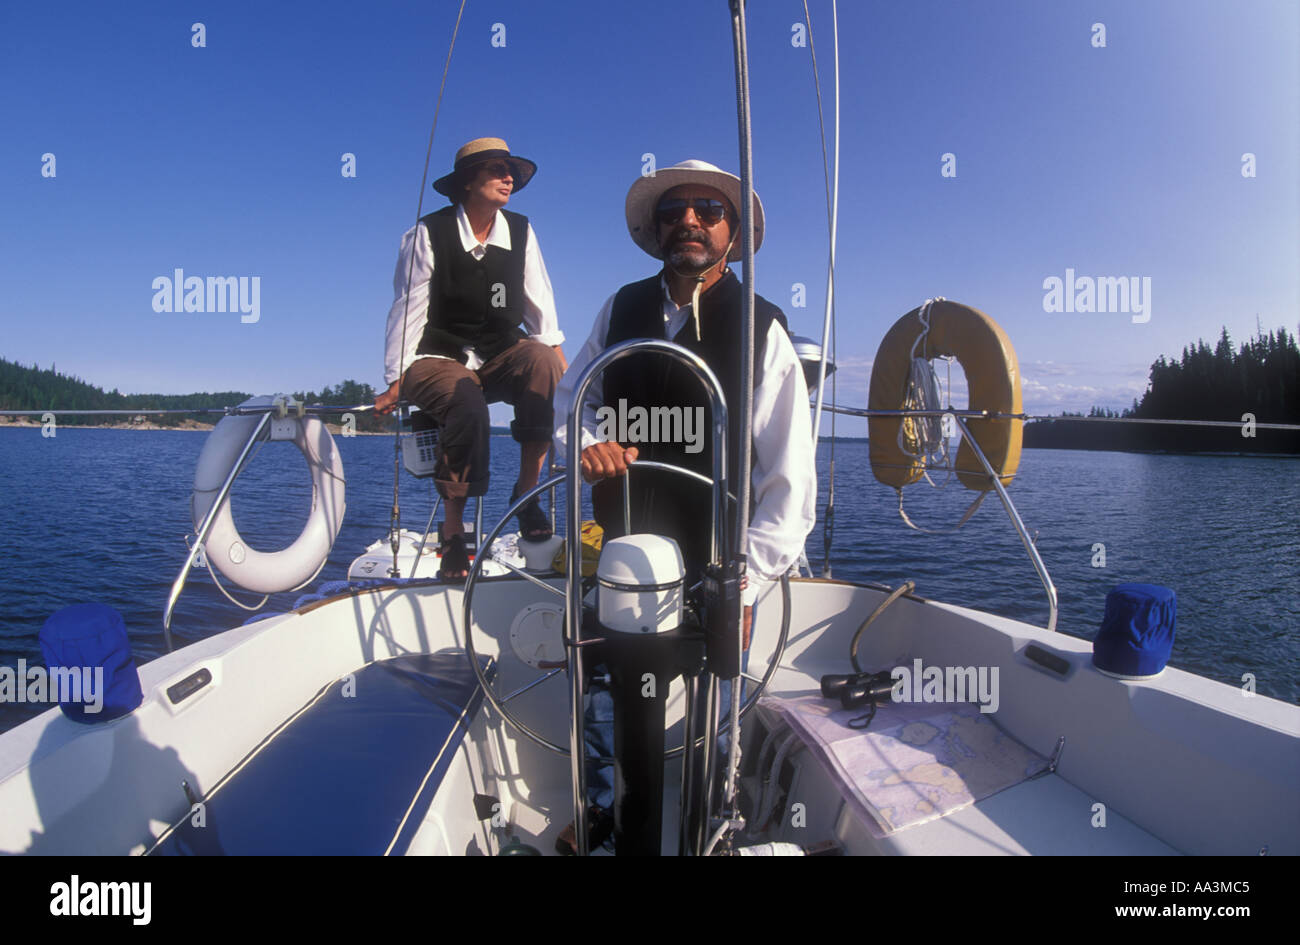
(34, 389)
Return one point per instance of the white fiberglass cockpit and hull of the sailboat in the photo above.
(1178, 764)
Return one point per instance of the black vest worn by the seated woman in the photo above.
(463, 291)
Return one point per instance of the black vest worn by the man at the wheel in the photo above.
(668, 504)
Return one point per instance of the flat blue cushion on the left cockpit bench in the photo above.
(352, 774)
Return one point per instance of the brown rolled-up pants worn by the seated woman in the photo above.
(525, 376)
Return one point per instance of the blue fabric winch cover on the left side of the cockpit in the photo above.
(89, 640)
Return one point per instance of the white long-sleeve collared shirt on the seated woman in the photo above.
(540, 319)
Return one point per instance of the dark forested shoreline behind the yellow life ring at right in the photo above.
(1256, 384)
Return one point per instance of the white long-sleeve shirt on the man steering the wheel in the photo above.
(785, 471)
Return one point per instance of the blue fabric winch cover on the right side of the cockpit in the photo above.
(1137, 634)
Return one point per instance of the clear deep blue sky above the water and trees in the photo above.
(1120, 162)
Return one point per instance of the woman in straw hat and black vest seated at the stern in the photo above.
(476, 330)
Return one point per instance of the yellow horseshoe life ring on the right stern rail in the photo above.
(994, 378)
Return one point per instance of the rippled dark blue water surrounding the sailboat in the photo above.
(101, 515)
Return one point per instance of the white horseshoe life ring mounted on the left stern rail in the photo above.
(296, 566)
